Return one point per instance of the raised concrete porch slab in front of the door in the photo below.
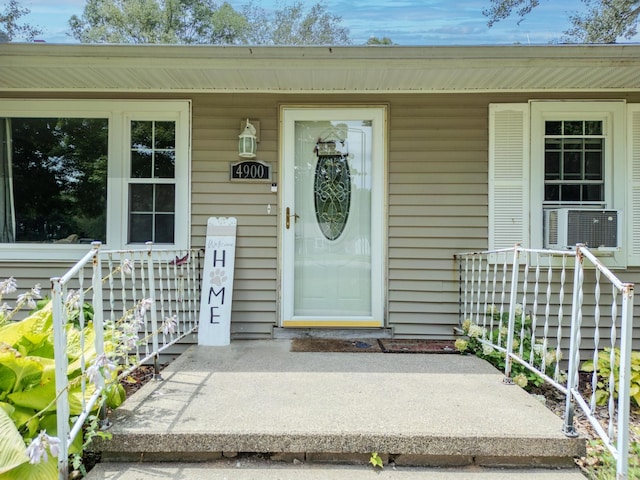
(425, 410)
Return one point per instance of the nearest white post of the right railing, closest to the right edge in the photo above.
(624, 379)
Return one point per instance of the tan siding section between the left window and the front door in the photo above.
(217, 122)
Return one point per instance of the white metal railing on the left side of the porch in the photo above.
(147, 301)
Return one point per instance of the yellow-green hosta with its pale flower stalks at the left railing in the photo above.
(28, 424)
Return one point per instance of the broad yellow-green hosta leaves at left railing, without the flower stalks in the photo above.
(28, 391)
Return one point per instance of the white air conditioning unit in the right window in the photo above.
(597, 229)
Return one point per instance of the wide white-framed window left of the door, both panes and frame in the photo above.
(74, 172)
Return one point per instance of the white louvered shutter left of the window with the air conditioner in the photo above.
(508, 175)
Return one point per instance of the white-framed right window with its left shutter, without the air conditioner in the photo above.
(546, 155)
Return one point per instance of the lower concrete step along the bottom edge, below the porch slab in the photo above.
(265, 470)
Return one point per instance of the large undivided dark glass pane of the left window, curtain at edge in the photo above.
(54, 179)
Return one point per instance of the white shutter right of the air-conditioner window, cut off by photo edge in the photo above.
(632, 210)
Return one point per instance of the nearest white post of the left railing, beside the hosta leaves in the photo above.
(61, 366)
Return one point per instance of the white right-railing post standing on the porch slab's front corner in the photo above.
(569, 428)
